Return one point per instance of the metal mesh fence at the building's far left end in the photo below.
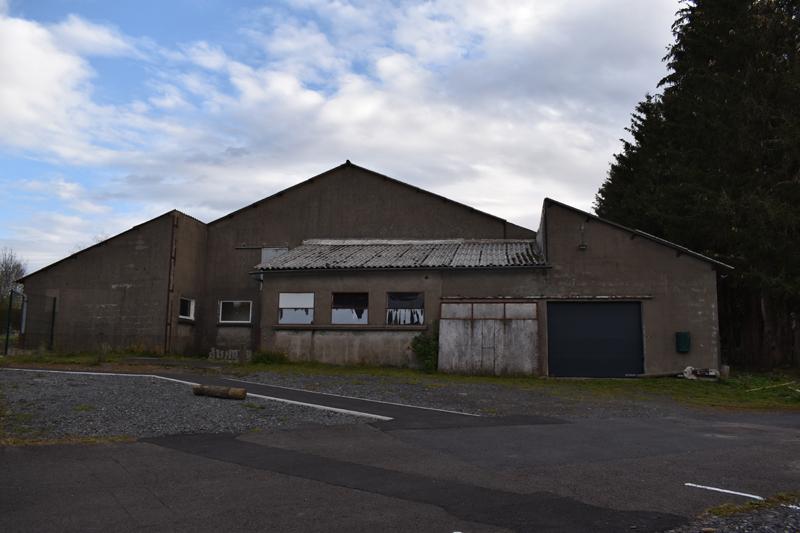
(28, 322)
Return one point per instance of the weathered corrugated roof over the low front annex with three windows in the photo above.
(321, 254)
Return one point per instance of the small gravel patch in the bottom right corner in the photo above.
(774, 520)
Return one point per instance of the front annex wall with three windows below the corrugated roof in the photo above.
(381, 344)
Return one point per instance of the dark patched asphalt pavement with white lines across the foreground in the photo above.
(420, 470)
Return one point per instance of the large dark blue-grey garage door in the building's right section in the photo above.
(594, 339)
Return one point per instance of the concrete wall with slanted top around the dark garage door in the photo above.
(678, 291)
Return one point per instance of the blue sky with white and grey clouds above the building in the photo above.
(114, 112)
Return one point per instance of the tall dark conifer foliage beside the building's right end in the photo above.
(714, 159)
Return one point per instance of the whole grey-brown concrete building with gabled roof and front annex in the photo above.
(350, 265)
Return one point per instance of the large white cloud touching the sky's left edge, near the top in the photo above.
(49, 111)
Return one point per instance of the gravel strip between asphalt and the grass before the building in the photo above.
(477, 398)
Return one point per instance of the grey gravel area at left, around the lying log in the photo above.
(49, 405)
